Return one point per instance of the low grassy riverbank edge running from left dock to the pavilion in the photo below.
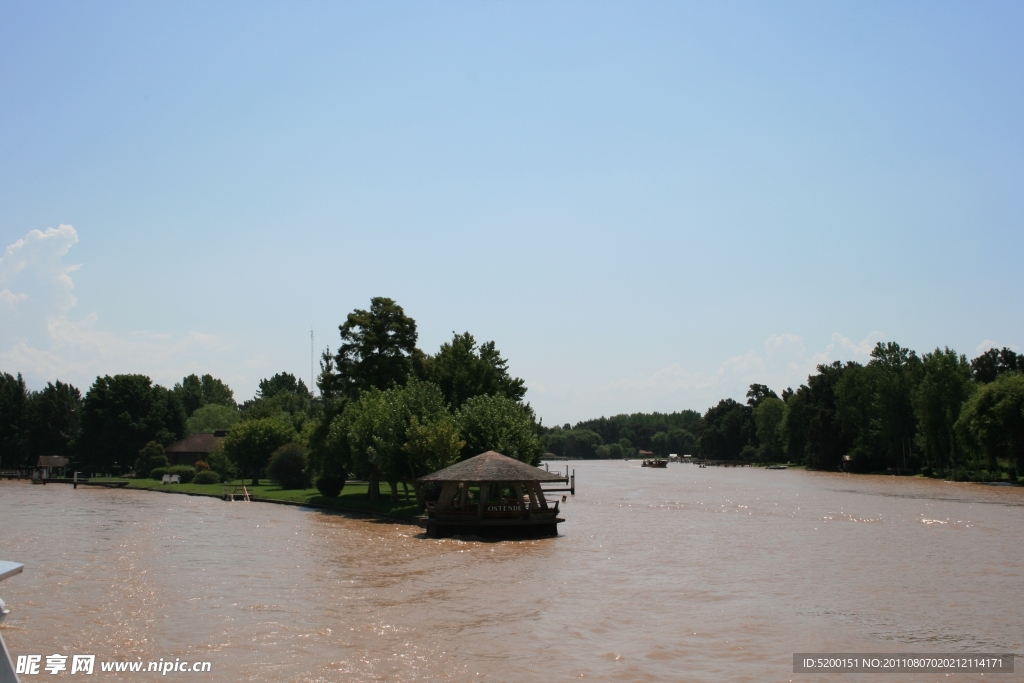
(355, 497)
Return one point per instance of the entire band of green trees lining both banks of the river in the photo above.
(390, 412)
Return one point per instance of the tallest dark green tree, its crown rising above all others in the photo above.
(377, 349)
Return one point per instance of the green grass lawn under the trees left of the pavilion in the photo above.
(354, 496)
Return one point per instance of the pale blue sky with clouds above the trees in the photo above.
(647, 206)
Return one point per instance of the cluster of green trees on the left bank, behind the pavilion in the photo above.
(388, 412)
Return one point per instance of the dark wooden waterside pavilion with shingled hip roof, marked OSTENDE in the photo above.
(492, 495)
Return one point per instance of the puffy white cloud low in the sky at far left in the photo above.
(40, 339)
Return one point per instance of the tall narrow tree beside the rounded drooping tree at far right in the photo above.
(937, 403)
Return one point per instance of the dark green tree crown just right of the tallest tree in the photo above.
(463, 371)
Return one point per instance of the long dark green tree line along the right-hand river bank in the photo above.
(937, 414)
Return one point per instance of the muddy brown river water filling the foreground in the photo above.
(676, 575)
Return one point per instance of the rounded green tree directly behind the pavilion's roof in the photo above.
(499, 423)
